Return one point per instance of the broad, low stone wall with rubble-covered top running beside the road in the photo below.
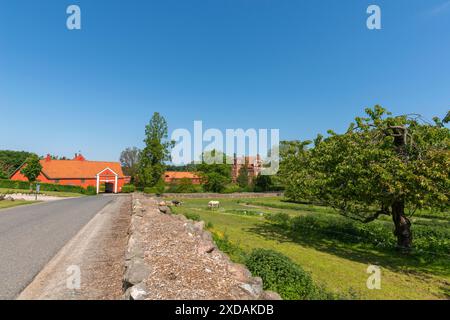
(138, 272)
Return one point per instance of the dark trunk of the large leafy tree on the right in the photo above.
(402, 226)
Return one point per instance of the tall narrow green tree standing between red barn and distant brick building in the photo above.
(156, 152)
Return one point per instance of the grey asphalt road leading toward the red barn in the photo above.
(31, 235)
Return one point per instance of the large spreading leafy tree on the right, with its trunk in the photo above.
(382, 165)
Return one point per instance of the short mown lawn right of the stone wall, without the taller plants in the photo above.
(338, 264)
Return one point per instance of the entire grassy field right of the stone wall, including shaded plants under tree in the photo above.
(336, 250)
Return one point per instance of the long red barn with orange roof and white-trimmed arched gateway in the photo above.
(80, 172)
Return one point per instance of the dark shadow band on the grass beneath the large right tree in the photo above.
(415, 264)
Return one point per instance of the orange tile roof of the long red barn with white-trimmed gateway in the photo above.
(64, 169)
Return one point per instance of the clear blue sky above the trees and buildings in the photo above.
(300, 66)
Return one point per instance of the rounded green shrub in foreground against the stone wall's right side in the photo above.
(281, 275)
